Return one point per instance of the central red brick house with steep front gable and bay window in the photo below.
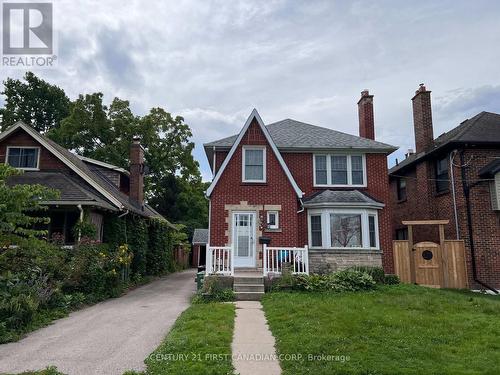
(298, 184)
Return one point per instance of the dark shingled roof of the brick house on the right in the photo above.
(483, 128)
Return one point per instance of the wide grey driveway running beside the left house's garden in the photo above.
(108, 338)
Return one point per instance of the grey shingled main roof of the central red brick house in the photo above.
(299, 135)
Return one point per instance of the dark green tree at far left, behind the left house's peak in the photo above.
(35, 102)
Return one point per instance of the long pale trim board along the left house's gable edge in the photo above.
(38, 137)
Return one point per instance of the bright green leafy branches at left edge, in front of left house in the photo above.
(18, 204)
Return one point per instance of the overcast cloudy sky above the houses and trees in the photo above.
(212, 62)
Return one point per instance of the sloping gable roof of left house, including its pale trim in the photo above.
(97, 181)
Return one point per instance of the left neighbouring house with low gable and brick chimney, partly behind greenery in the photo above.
(88, 188)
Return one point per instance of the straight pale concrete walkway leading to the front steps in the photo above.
(253, 343)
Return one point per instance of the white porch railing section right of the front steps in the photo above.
(296, 257)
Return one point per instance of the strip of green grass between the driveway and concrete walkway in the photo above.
(199, 343)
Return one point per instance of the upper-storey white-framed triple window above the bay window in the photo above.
(339, 170)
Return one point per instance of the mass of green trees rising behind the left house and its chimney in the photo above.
(90, 128)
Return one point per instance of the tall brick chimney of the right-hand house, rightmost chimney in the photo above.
(422, 118)
